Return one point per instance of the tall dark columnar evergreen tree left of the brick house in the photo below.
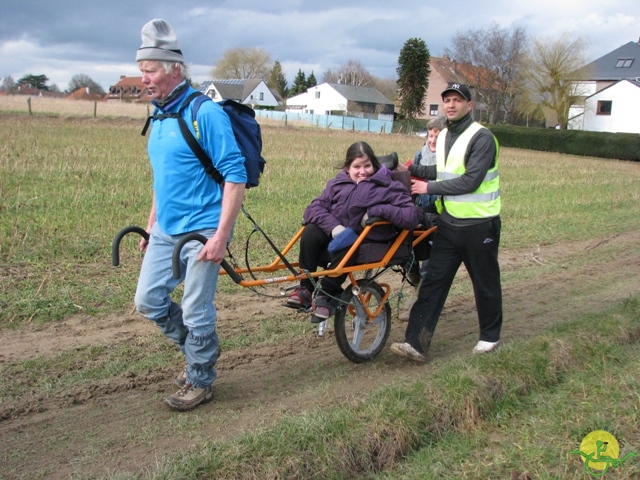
(413, 77)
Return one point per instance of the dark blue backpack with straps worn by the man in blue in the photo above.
(245, 129)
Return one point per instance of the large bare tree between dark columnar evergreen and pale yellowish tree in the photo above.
(499, 54)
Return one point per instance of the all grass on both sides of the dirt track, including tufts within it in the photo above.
(68, 184)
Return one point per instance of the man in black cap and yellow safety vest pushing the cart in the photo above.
(467, 182)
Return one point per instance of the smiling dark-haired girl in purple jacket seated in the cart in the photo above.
(362, 189)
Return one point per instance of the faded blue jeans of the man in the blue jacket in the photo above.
(191, 327)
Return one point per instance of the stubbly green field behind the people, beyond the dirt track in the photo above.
(69, 185)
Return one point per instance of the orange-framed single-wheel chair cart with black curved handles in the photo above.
(362, 321)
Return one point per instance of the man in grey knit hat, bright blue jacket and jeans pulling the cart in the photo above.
(185, 200)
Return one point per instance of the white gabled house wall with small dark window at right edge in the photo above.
(612, 109)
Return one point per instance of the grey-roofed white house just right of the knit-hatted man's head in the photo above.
(251, 91)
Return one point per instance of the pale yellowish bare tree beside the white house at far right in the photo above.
(551, 65)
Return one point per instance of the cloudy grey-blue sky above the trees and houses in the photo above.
(62, 38)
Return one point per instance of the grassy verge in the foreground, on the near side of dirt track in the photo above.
(523, 409)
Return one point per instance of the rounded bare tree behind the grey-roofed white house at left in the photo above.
(243, 63)
